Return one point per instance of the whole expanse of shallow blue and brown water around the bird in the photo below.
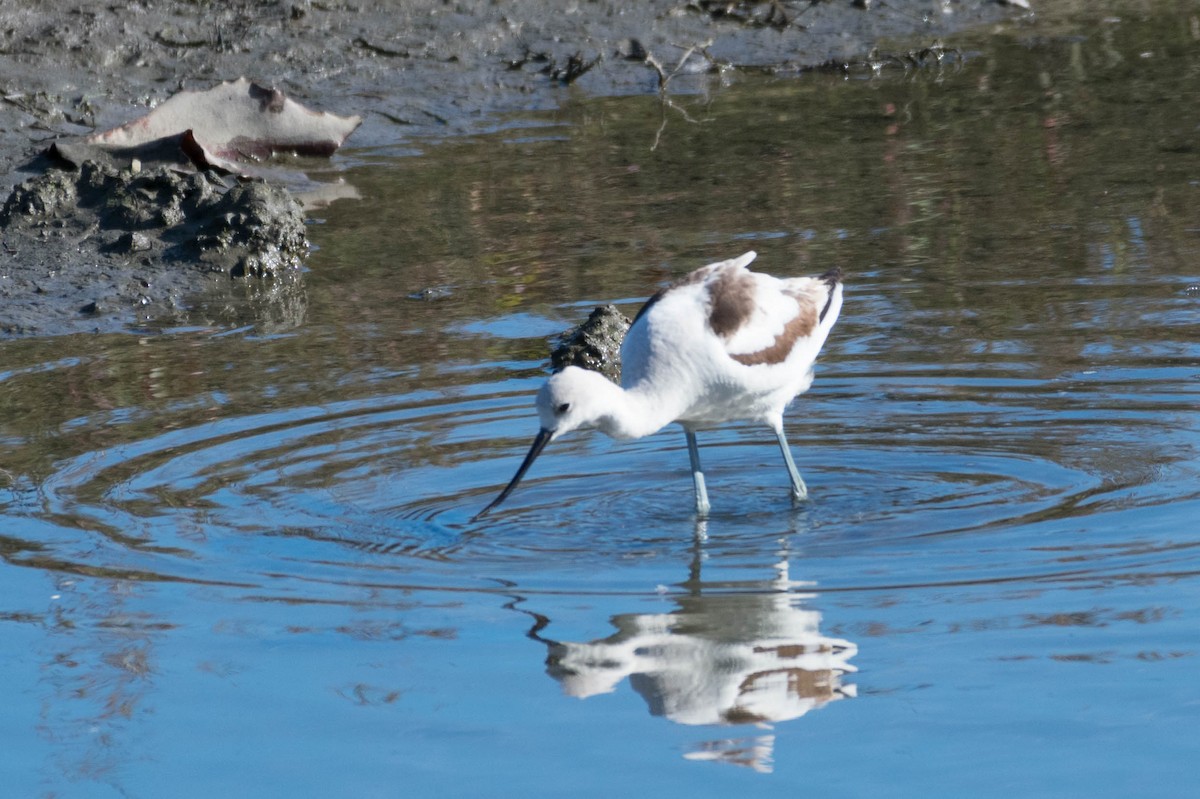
(239, 558)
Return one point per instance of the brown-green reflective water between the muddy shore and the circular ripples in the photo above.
(1003, 208)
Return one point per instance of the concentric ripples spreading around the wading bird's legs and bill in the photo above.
(914, 462)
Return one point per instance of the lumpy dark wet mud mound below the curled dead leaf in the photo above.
(103, 248)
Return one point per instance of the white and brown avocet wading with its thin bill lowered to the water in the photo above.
(721, 345)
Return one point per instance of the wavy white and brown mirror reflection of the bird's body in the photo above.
(719, 659)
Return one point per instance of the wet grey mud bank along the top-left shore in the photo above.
(425, 69)
